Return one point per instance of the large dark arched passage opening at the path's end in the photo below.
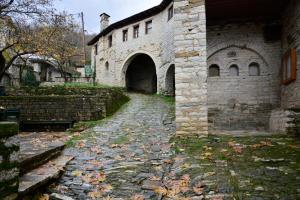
(141, 75)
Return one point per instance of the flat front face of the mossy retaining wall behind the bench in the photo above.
(56, 108)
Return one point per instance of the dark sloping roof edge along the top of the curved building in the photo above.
(133, 19)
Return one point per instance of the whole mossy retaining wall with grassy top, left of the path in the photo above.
(64, 104)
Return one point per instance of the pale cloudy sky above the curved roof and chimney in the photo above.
(117, 9)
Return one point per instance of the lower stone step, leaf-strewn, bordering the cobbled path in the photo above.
(43, 175)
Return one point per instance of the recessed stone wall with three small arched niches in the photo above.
(241, 101)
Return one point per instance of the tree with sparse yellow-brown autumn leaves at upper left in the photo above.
(32, 27)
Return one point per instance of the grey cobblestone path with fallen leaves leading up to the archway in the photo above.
(125, 156)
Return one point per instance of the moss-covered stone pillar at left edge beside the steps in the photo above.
(9, 168)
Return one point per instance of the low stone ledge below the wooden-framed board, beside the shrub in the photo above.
(285, 121)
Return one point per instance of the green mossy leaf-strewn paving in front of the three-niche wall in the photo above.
(242, 164)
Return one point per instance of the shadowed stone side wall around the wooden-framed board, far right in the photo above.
(290, 95)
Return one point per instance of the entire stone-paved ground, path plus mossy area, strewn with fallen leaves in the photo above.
(134, 154)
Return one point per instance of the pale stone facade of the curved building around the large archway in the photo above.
(158, 45)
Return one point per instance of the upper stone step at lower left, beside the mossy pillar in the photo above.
(32, 157)
